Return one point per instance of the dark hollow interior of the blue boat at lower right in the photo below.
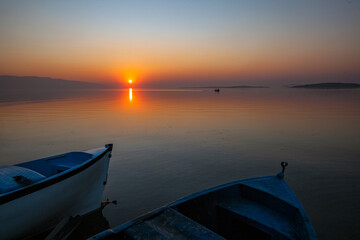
(242, 212)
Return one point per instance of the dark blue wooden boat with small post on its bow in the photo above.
(257, 208)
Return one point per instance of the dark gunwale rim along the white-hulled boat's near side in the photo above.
(53, 179)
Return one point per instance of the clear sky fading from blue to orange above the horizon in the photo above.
(182, 43)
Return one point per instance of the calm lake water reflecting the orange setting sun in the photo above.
(170, 143)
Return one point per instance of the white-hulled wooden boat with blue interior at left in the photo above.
(36, 195)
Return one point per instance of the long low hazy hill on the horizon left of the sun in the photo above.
(30, 82)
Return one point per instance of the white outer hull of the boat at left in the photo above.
(76, 191)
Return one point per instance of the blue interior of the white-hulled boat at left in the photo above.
(24, 174)
